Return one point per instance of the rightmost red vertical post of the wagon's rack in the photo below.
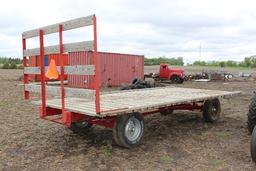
(96, 61)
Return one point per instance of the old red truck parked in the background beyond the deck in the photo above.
(176, 75)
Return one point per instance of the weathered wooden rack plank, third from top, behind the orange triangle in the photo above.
(68, 70)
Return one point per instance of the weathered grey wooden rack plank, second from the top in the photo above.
(55, 49)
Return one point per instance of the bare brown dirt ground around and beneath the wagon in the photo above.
(181, 141)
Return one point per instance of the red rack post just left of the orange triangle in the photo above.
(41, 34)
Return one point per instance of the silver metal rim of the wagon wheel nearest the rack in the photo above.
(132, 129)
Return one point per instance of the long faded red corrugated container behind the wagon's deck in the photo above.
(115, 68)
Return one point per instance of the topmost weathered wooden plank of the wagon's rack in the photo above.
(54, 28)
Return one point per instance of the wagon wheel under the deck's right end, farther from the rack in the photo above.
(211, 110)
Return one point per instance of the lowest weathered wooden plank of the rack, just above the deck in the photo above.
(69, 92)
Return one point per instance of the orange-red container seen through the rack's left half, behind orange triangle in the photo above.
(35, 61)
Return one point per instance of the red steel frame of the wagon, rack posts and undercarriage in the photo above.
(66, 117)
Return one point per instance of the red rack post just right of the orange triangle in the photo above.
(61, 69)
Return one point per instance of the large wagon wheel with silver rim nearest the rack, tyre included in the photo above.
(128, 130)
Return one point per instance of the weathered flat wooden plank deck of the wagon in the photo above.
(119, 102)
